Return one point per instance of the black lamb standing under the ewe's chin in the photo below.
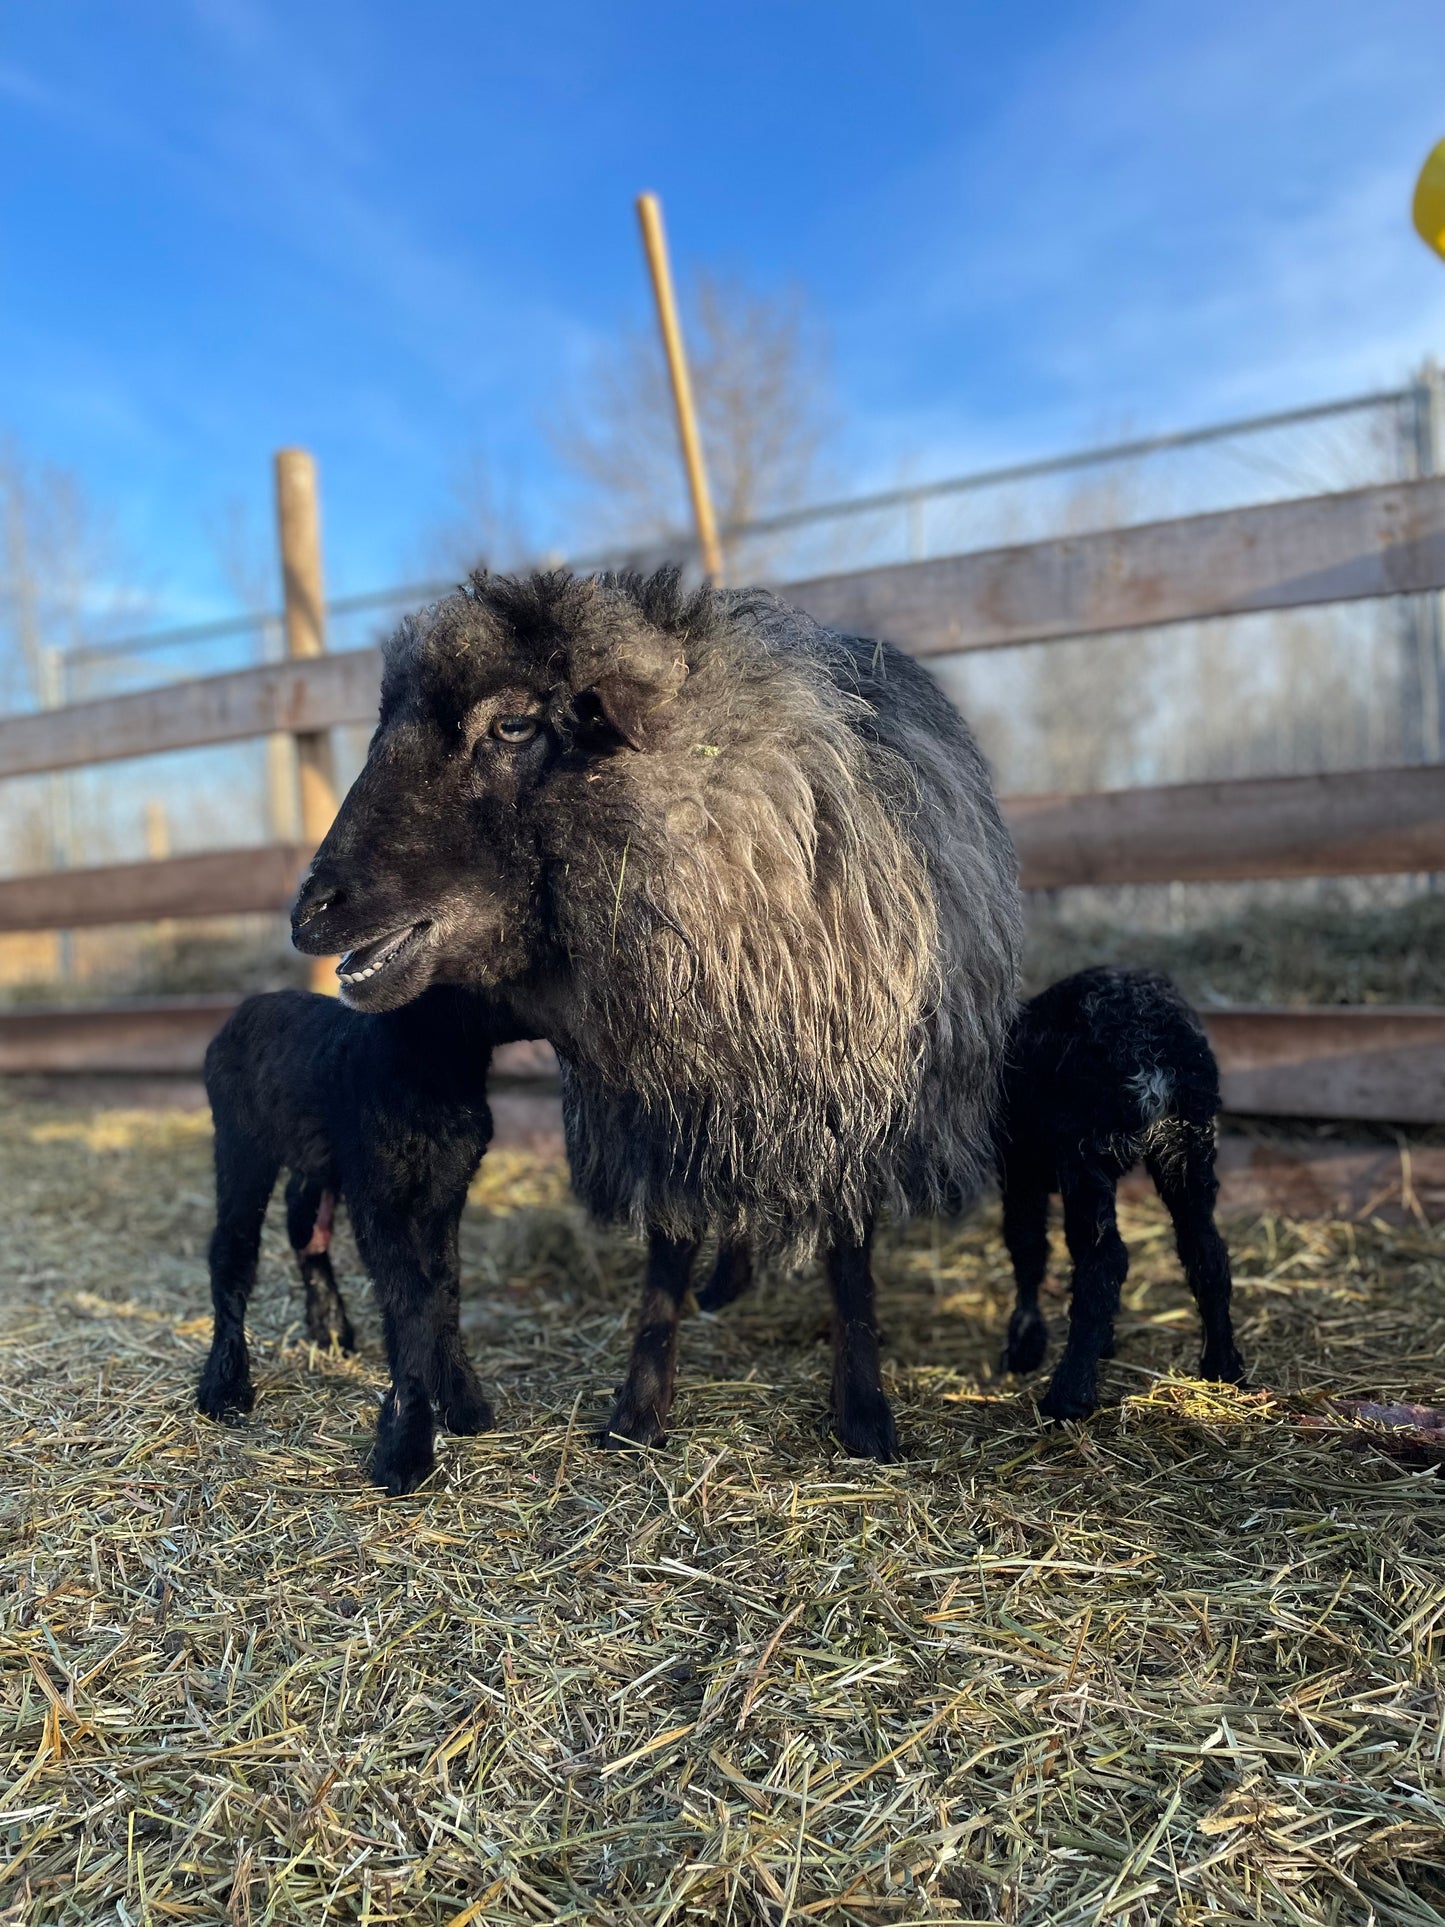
(392, 1115)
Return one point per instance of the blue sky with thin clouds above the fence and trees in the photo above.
(394, 234)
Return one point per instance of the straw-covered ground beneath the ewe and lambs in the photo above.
(1174, 1666)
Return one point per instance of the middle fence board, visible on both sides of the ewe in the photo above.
(1352, 824)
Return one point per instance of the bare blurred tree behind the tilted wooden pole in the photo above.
(760, 377)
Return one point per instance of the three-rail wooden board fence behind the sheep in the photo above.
(1382, 1065)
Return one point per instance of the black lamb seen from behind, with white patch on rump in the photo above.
(1107, 1070)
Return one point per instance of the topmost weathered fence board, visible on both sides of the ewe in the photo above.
(1278, 556)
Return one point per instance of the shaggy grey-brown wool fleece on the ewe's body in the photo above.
(793, 930)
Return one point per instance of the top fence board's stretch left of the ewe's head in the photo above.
(300, 699)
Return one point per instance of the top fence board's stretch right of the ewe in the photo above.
(1278, 556)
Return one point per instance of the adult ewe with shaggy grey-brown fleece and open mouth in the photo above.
(750, 880)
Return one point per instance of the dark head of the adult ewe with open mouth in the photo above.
(500, 733)
